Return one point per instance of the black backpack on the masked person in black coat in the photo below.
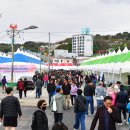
(34, 120)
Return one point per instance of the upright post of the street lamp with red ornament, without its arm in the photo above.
(12, 67)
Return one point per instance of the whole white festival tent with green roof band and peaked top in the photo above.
(115, 66)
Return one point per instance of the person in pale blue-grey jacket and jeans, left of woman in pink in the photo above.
(100, 93)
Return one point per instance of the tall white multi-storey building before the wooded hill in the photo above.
(82, 45)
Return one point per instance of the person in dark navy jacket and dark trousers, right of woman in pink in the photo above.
(121, 102)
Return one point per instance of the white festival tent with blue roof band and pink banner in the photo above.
(25, 64)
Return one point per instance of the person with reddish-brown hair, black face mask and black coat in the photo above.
(41, 118)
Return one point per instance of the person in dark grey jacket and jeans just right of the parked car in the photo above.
(38, 87)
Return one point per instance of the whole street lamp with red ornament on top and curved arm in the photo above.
(13, 32)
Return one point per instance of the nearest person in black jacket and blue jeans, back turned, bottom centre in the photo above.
(80, 110)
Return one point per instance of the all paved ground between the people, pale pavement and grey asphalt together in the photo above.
(28, 108)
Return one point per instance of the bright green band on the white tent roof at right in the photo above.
(111, 59)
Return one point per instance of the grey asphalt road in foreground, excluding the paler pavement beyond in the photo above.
(25, 122)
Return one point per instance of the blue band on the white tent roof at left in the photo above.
(20, 58)
